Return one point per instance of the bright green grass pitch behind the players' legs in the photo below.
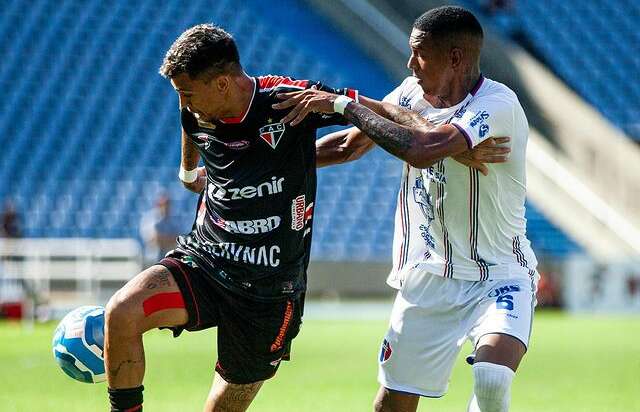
(574, 364)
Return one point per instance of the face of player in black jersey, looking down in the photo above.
(205, 99)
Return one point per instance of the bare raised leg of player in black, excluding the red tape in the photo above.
(126, 321)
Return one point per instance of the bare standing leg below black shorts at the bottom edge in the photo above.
(230, 397)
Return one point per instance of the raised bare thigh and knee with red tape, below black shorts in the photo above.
(150, 300)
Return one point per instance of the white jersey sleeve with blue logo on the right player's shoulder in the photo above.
(485, 117)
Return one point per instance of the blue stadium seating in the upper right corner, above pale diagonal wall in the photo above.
(602, 45)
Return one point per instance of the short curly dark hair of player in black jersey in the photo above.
(202, 49)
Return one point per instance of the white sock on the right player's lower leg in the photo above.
(492, 388)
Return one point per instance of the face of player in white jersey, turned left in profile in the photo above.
(429, 64)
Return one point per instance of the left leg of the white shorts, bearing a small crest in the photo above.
(420, 347)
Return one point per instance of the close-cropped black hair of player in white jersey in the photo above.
(446, 22)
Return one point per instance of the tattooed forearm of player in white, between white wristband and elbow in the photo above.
(392, 137)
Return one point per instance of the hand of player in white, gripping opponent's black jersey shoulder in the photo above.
(305, 102)
